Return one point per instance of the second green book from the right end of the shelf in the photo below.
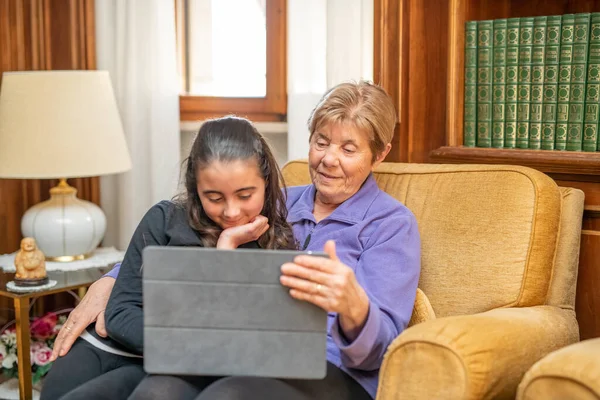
(578, 80)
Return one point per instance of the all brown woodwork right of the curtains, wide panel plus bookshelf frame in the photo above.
(419, 50)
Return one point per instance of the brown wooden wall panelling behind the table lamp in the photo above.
(42, 35)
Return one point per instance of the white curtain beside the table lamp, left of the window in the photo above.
(135, 42)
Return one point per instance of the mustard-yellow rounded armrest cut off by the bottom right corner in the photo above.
(569, 373)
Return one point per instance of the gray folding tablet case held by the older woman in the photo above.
(224, 312)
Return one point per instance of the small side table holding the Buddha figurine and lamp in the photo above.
(66, 281)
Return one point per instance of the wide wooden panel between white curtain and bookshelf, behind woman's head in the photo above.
(410, 62)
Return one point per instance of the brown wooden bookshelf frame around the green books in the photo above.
(568, 168)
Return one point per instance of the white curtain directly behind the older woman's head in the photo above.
(329, 41)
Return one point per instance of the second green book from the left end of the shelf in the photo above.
(484, 83)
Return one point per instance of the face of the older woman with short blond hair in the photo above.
(340, 160)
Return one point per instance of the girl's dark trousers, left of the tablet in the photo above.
(86, 372)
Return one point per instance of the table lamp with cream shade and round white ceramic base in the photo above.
(61, 124)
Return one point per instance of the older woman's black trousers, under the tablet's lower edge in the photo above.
(337, 385)
